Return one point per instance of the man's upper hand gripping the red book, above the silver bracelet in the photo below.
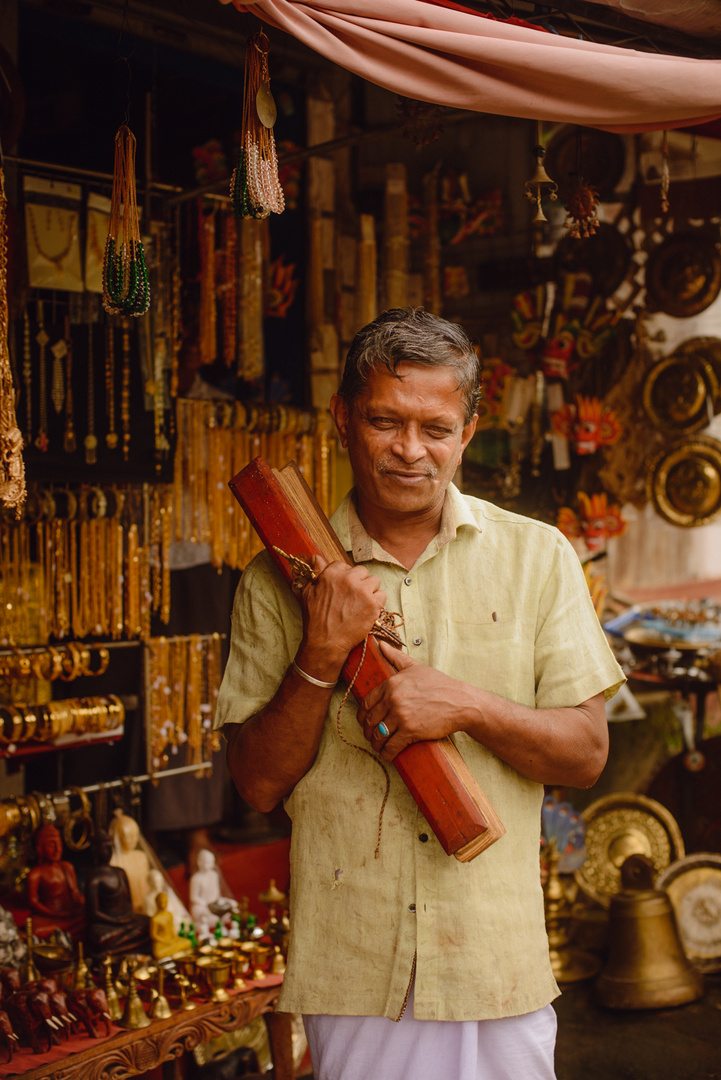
(339, 609)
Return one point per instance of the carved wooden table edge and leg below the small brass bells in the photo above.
(130, 1054)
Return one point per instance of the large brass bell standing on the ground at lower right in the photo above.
(647, 967)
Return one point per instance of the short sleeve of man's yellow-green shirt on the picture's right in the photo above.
(574, 659)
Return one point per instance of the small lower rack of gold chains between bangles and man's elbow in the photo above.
(183, 678)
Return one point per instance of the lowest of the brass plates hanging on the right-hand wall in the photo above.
(685, 483)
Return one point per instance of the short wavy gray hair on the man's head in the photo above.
(412, 336)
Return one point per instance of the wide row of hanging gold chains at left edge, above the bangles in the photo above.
(88, 561)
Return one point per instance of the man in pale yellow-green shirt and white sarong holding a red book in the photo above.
(506, 654)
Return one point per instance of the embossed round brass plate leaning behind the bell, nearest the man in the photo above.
(620, 826)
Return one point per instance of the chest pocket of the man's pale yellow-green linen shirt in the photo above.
(496, 656)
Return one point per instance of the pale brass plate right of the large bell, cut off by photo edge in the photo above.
(693, 885)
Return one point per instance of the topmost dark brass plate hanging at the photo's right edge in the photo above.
(684, 275)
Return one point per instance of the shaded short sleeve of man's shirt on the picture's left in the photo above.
(266, 632)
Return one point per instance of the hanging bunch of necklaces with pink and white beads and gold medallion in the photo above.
(255, 188)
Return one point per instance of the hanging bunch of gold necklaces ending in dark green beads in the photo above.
(126, 288)
